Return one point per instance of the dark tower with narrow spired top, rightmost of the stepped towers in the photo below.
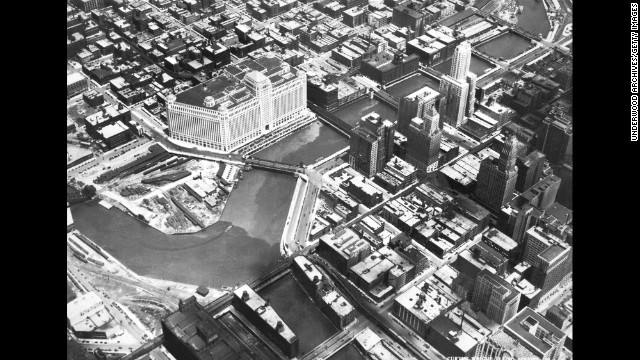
(497, 177)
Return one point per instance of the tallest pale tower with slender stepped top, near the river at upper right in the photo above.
(458, 87)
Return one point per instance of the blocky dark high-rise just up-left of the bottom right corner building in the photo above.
(495, 297)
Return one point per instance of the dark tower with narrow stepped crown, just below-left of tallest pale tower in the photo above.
(423, 141)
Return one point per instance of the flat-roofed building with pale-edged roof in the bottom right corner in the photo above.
(537, 334)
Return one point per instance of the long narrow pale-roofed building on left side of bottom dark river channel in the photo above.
(265, 318)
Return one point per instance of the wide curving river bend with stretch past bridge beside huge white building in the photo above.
(237, 249)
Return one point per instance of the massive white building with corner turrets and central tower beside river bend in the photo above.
(250, 99)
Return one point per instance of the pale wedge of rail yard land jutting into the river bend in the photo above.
(183, 200)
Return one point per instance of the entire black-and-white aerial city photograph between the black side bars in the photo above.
(319, 179)
